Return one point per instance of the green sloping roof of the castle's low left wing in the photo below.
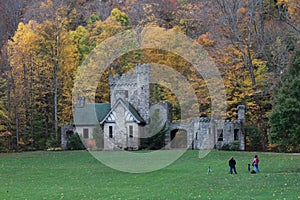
(91, 114)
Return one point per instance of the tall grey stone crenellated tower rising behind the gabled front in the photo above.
(134, 88)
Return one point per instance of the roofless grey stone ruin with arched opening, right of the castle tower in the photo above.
(206, 133)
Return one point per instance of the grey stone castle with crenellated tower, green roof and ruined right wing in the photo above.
(126, 118)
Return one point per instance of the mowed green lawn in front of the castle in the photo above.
(78, 175)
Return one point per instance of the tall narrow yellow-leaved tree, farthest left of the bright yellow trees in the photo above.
(22, 57)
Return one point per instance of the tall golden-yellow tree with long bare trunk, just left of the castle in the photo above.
(56, 48)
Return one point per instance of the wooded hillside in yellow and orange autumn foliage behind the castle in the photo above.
(254, 44)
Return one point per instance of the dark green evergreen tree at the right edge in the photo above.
(284, 118)
